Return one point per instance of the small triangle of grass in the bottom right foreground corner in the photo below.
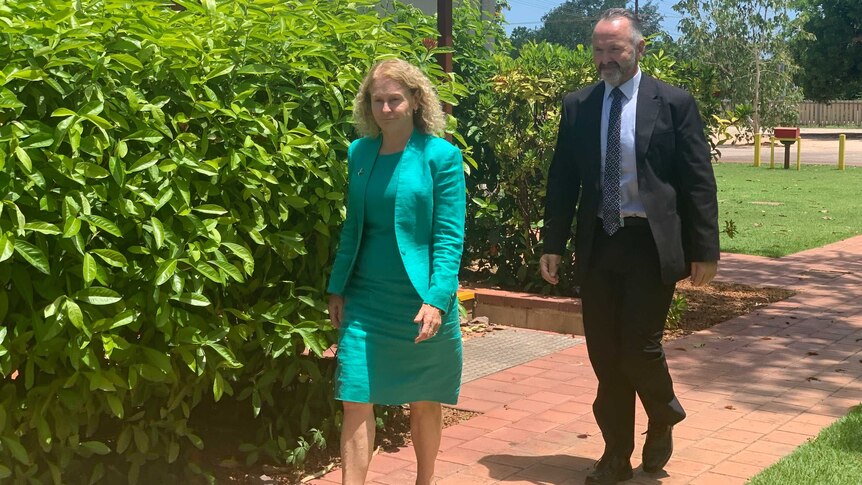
(833, 458)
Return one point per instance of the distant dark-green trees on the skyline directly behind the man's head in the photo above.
(572, 22)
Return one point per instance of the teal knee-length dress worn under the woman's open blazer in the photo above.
(378, 361)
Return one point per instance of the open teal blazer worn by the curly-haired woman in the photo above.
(430, 205)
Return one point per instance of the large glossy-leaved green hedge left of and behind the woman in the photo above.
(170, 178)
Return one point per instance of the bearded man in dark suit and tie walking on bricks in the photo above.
(633, 149)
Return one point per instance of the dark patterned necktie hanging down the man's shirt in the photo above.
(613, 157)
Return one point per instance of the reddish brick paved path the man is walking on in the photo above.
(754, 387)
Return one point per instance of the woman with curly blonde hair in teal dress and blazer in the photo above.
(395, 278)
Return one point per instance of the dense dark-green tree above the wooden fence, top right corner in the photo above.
(831, 60)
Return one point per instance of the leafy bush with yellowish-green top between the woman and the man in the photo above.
(518, 120)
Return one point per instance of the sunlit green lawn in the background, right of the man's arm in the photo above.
(777, 212)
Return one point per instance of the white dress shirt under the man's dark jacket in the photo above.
(630, 202)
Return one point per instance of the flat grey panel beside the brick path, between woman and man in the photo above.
(502, 349)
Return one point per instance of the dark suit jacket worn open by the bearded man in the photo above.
(675, 178)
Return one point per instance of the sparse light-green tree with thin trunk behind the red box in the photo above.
(747, 43)
